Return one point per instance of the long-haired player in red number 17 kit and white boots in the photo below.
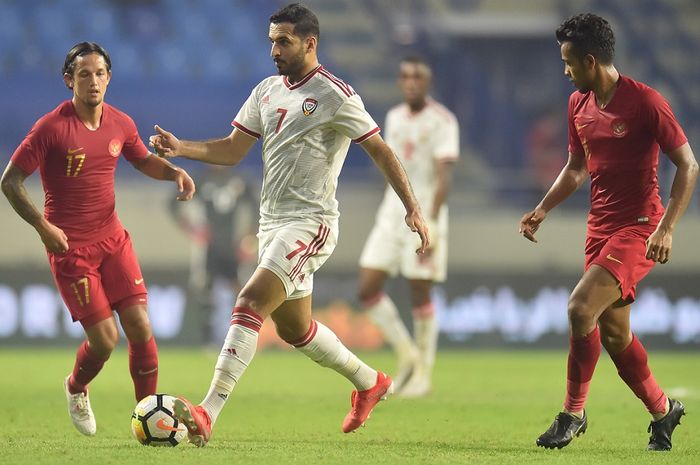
(76, 147)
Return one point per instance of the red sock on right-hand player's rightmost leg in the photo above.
(632, 367)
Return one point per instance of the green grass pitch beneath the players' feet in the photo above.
(487, 407)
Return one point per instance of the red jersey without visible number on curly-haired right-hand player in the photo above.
(621, 145)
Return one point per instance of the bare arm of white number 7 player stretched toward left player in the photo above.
(227, 151)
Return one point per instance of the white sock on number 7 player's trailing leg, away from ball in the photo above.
(323, 347)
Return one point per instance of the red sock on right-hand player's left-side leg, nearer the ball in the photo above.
(583, 356)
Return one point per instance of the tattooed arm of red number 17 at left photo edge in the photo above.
(12, 184)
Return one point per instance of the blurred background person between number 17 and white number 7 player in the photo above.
(220, 222)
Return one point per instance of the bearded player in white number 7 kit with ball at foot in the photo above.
(306, 118)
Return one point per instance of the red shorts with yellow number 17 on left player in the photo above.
(99, 277)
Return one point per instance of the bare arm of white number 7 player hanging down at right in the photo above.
(395, 175)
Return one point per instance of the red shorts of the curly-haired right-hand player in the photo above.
(623, 254)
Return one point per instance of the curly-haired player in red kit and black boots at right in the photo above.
(616, 127)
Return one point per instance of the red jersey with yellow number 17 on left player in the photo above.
(77, 168)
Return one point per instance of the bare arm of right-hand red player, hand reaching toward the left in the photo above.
(569, 180)
